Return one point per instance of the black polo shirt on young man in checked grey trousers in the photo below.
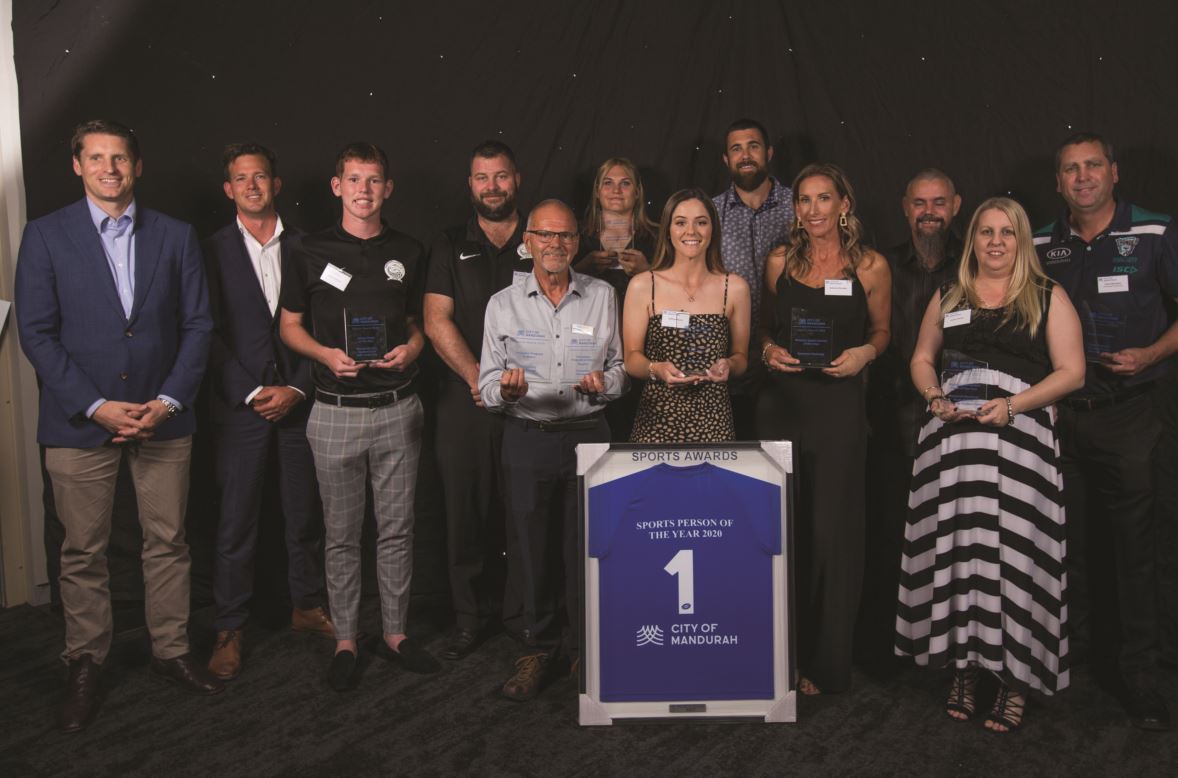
(387, 278)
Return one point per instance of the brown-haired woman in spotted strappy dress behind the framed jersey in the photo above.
(685, 329)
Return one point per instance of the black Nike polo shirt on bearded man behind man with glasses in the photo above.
(468, 268)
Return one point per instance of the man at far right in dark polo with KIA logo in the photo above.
(1119, 263)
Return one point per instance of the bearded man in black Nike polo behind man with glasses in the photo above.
(468, 265)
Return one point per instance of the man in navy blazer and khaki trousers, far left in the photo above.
(112, 313)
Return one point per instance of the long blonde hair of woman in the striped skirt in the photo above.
(1024, 300)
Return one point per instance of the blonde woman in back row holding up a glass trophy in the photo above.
(618, 242)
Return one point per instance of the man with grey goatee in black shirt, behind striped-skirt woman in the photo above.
(921, 266)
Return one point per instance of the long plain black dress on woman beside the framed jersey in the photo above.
(826, 419)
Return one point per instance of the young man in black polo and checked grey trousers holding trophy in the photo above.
(360, 285)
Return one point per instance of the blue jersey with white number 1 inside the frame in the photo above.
(686, 573)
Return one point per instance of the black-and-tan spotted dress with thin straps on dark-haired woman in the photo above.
(686, 414)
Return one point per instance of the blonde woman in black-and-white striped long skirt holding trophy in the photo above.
(983, 570)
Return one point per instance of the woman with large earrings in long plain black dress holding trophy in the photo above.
(836, 293)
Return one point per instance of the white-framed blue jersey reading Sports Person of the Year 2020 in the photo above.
(686, 582)
